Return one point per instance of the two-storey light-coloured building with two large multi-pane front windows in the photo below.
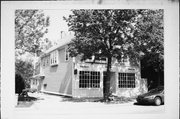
(72, 77)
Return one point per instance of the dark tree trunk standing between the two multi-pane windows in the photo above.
(107, 80)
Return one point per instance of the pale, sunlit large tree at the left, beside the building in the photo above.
(30, 28)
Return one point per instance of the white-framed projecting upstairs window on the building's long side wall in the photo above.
(54, 58)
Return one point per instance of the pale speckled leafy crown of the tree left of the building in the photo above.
(30, 27)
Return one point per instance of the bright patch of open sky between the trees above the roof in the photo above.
(57, 24)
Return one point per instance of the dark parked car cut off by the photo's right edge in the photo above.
(154, 96)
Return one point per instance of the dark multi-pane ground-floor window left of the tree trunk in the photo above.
(89, 79)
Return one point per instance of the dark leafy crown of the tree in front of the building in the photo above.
(103, 33)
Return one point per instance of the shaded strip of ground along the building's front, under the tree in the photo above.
(114, 100)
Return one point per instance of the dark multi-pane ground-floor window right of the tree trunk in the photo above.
(126, 80)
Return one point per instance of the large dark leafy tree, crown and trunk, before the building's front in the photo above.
(111, 34)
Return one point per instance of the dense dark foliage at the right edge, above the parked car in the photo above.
(151, 37)
